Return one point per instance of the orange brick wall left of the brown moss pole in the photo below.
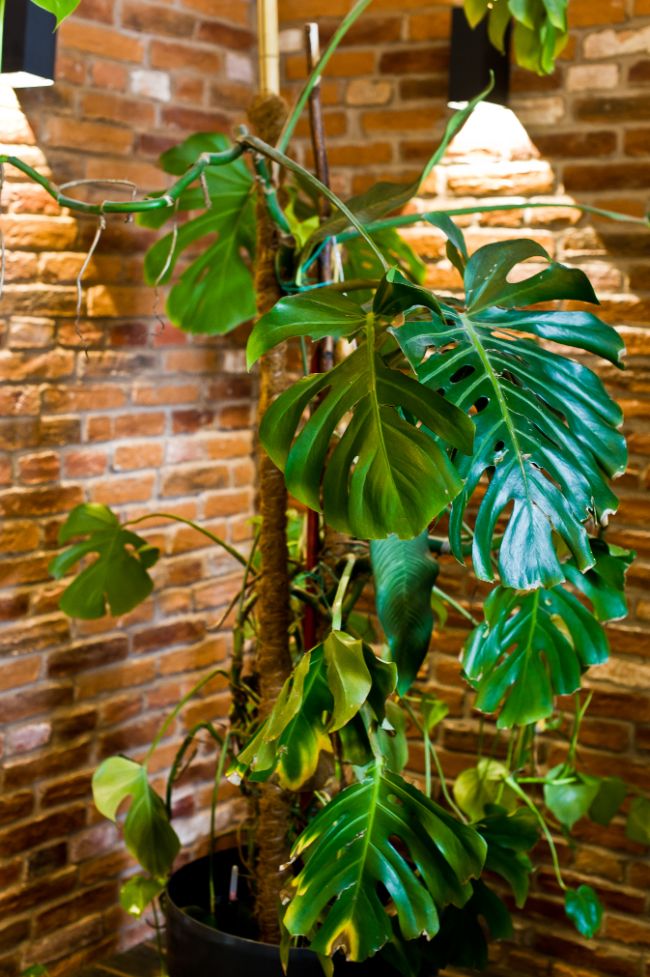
(117, 409)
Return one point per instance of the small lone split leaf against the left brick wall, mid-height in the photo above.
(117, 578)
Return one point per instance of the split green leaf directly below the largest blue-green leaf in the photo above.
(531, 647)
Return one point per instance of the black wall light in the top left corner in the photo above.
(28, 45)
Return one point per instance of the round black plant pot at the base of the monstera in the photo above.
(196, 949)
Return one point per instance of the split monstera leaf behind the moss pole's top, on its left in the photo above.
(214, 293)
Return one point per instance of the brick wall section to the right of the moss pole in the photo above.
(590, 123)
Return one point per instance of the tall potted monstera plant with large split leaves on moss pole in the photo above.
(466, 423)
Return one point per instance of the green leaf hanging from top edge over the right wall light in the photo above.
(539, 33)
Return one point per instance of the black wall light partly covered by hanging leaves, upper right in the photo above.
(473, 56)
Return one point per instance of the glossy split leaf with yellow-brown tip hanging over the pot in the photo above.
(379, 849)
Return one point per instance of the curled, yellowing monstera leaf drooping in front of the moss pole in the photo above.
(327, 689)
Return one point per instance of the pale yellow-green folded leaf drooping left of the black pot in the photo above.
(147, 832)
